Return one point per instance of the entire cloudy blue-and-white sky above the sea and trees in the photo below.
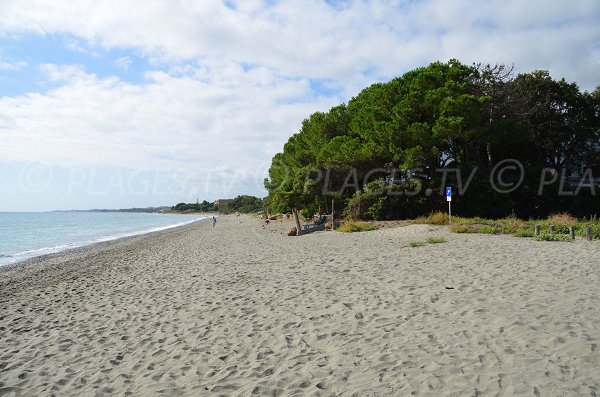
(118, 104)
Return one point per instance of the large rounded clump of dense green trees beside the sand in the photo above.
(389, 152)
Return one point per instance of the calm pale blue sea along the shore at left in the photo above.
(25, 235)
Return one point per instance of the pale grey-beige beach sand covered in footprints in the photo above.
(242, 310)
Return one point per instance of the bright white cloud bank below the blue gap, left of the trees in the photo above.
(222, 116)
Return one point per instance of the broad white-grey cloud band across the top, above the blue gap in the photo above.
(309, 38)
